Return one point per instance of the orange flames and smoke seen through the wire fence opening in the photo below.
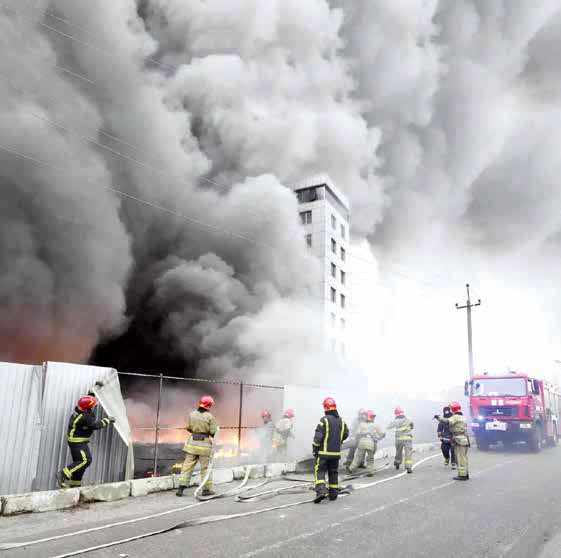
(158, 406)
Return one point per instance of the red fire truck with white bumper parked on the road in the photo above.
(513, 407)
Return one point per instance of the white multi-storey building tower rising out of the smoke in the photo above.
(325, 216)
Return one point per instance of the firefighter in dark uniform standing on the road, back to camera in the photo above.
(330, 434)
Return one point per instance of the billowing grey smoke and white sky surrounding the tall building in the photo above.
(145, 153)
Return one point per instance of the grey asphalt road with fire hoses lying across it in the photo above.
(511, 507)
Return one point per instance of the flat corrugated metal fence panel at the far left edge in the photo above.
(20, 430)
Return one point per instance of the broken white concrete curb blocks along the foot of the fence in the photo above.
(67, 498)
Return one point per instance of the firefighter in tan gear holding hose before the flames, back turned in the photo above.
(202, 426)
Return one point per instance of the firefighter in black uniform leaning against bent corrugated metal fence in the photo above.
(81, 426)
